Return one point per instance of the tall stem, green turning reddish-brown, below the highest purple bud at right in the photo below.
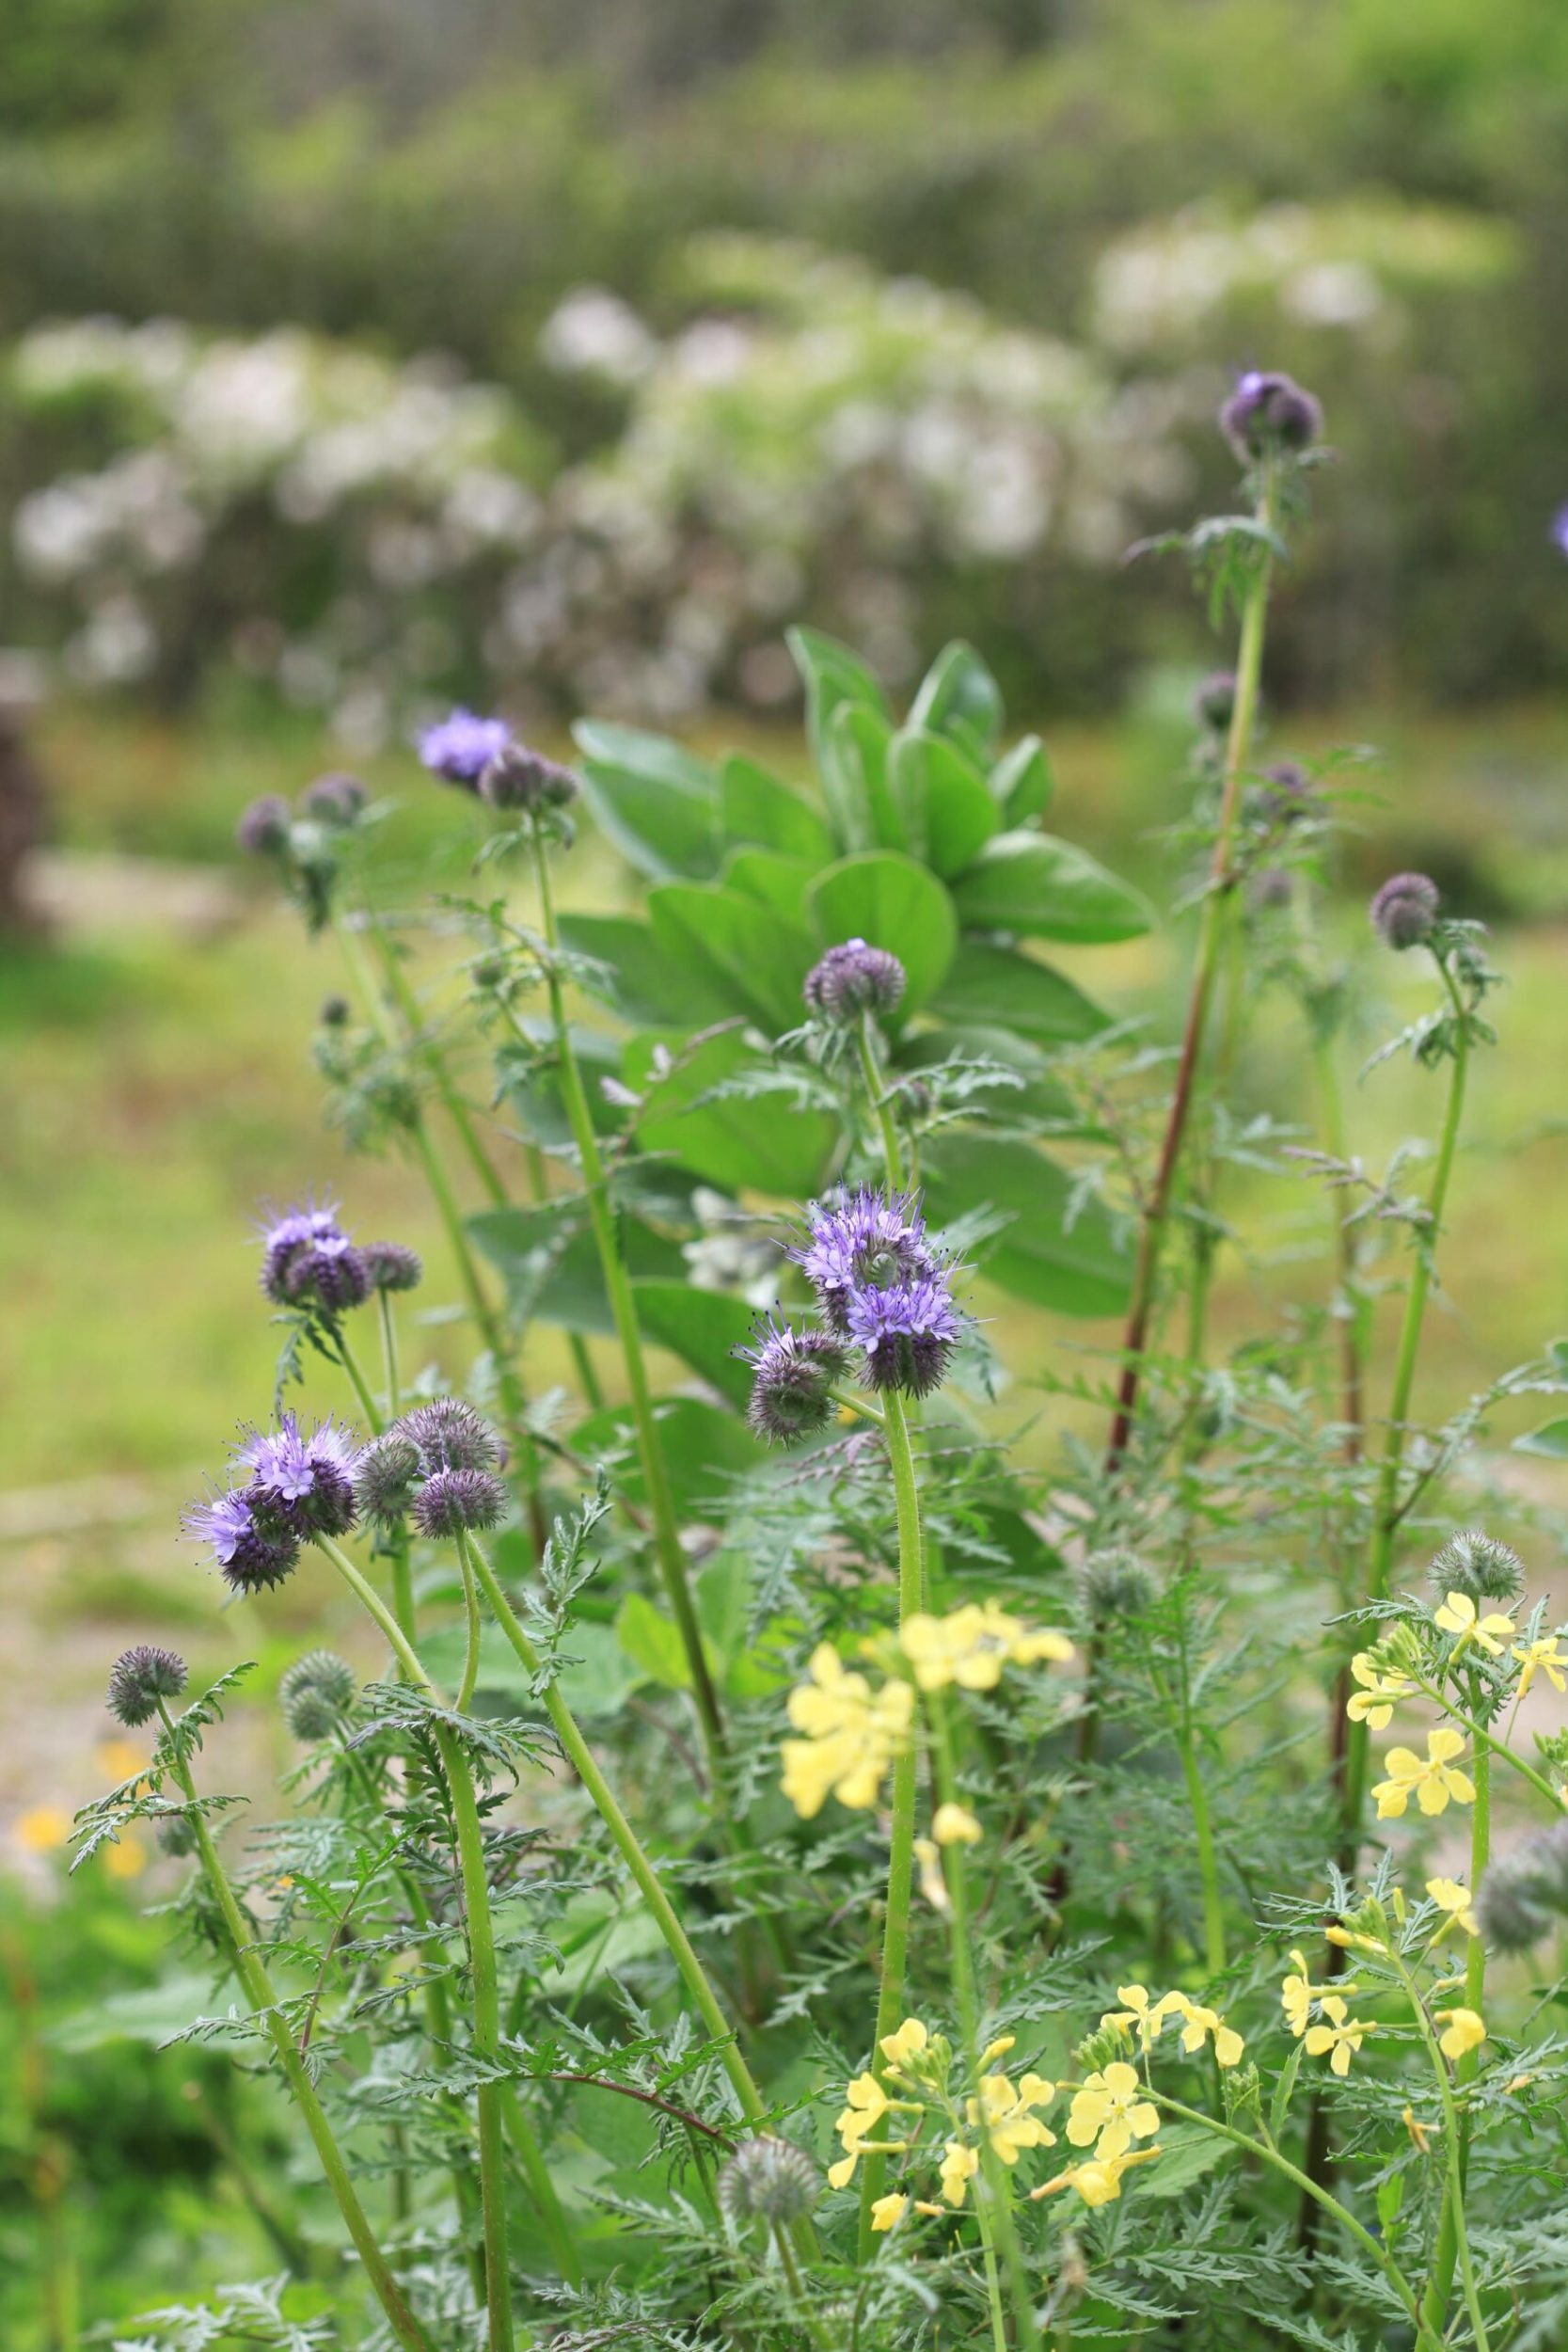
(1212, 937)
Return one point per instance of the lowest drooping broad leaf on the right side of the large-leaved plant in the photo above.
(1076, 1269)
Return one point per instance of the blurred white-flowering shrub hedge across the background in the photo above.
(885, 457)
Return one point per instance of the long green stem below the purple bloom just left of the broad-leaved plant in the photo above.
(624, 1309)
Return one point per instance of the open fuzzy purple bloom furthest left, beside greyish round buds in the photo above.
(300, 1488)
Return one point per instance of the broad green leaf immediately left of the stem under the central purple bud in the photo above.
(732, 1144)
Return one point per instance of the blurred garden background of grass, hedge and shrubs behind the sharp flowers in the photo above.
(368, 354)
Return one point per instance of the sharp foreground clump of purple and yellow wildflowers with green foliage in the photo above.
(822, 1866)
